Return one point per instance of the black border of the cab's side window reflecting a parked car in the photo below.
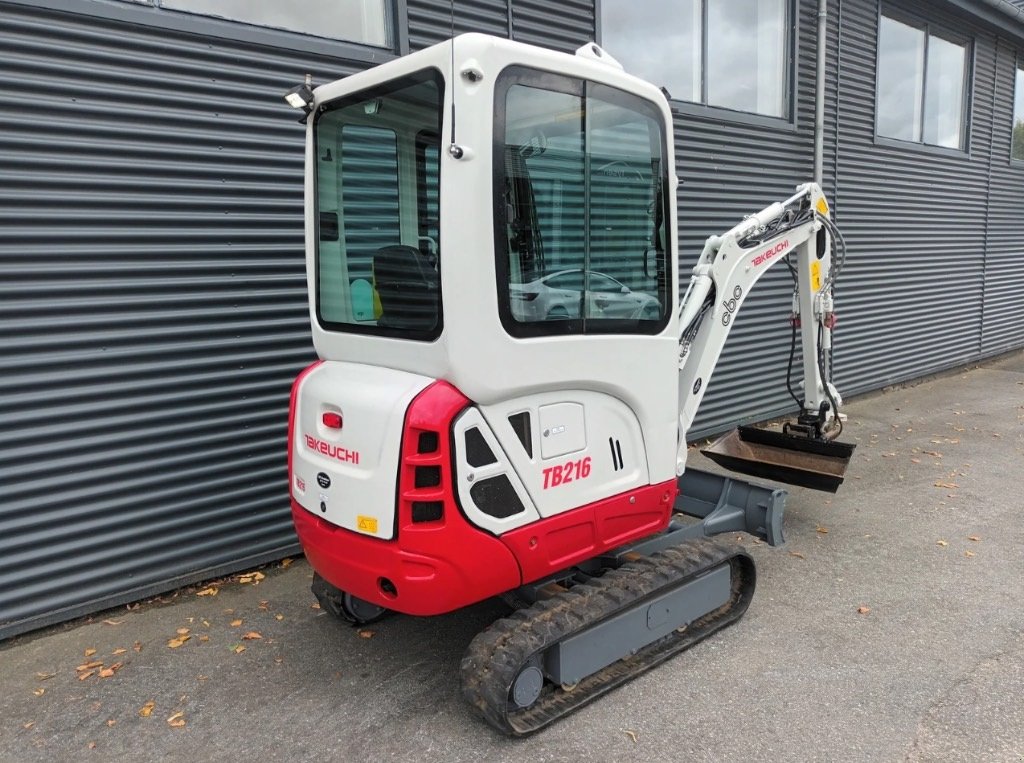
(532, 77)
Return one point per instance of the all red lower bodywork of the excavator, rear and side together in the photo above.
(444, 565)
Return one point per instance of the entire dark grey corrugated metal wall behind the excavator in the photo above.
(153, 299)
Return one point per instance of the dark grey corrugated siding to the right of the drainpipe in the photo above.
(933, 276)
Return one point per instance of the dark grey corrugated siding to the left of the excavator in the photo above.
(153, 308)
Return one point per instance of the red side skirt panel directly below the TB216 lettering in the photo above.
(553, 544)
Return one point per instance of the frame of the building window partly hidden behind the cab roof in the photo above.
(787, 122)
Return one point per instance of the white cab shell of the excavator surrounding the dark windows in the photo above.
(475, 353)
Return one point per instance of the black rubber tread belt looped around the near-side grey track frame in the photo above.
(497, 655)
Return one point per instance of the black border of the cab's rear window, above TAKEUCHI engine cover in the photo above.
(381, 91)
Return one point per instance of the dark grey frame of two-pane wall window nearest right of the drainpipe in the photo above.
(931, 29)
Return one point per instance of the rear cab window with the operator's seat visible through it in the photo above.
(377, 199)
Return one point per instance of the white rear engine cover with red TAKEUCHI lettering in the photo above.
(361, 460)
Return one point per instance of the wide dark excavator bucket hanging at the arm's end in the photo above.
(820, 465)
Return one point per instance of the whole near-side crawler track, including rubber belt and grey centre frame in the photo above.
(544, 662)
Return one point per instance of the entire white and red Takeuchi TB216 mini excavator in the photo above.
(509, 369)
